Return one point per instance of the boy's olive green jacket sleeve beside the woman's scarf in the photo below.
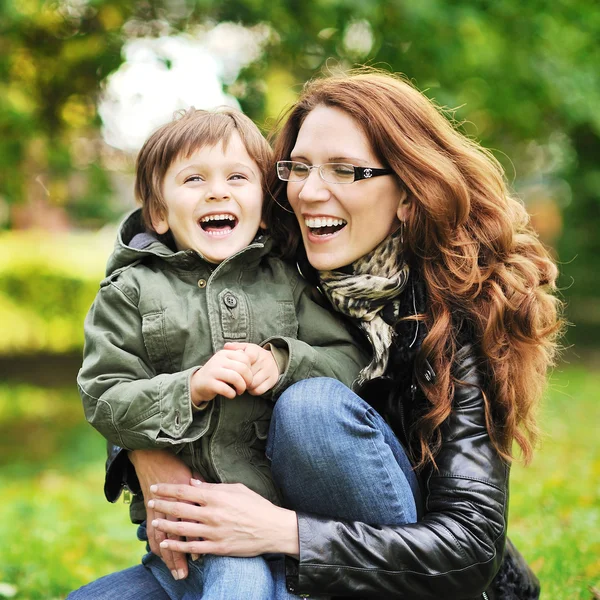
(326, 345)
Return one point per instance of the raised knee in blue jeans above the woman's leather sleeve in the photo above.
(333, 455)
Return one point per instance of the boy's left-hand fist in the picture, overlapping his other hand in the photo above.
(228, 373)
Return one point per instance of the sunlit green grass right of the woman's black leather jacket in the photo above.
(555, 509)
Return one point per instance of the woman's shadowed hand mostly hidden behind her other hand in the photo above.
(152, 466)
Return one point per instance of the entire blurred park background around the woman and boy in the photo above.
(82, 82)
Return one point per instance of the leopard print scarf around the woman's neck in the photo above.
(375, 280)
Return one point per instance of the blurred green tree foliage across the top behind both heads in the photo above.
(523, 76)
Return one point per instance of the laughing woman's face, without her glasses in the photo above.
(340, 222)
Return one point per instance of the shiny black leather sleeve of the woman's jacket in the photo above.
(453, 552)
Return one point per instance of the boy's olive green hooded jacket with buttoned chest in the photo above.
(161, 314)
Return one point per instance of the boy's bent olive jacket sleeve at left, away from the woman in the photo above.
(123, 398)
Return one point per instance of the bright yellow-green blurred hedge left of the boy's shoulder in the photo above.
(47, 284)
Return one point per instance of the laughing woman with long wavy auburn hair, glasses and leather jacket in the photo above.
(413, 234)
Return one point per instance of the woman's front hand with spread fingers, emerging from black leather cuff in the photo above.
(231, 520)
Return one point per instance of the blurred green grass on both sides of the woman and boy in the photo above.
(58, 532)
